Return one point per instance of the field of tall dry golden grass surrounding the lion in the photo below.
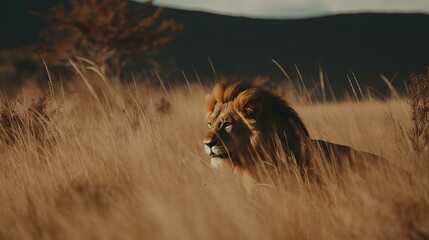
(94, 160)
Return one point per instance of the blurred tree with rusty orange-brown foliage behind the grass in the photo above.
(107, 32)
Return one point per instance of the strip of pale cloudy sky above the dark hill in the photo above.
(297, 8)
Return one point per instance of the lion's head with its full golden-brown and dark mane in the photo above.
(249, 126)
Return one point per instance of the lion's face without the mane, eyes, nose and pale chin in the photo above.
(227, 139)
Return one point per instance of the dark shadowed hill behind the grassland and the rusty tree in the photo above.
(367, 44)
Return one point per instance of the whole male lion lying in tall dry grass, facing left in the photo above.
(249, 127)
